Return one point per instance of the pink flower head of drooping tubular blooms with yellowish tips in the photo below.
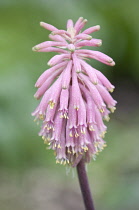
(75, 97)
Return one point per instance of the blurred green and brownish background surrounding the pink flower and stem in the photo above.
(29, 177)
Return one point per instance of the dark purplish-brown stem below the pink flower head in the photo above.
(84, 185)
